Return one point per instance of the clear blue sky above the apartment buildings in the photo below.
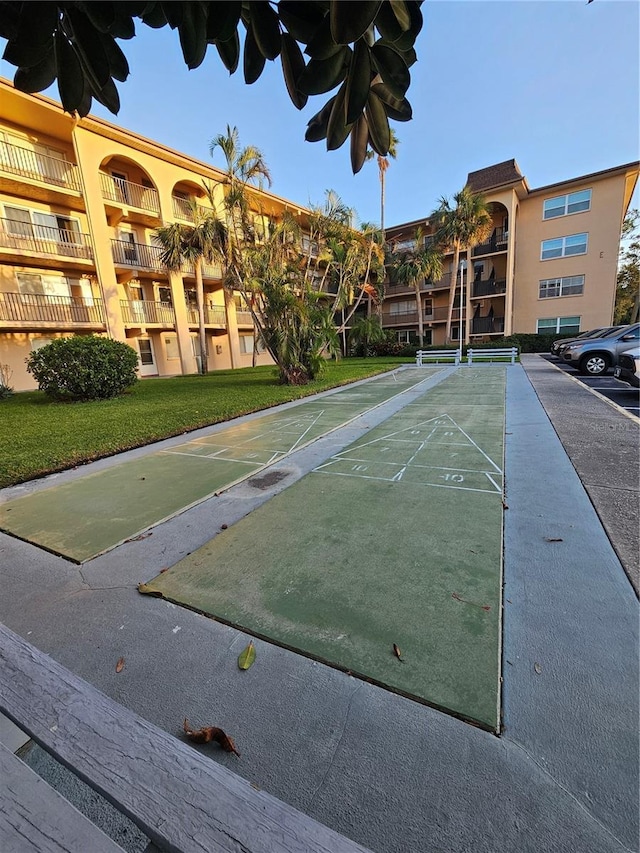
(554, 84)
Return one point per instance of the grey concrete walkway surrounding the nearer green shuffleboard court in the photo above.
(385, 771)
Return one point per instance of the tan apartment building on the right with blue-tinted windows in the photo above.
(548, 266)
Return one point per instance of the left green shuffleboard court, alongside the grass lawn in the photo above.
(93, 513)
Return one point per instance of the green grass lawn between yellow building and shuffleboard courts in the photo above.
(38, 436)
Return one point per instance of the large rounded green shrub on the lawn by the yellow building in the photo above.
(84, 367)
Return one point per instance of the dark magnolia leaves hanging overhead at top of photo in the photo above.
(351, 44)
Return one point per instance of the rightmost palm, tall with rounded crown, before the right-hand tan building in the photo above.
(460, 226)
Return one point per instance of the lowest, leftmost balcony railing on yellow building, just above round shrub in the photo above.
(42, 308)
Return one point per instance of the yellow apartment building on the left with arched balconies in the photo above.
(79, 203)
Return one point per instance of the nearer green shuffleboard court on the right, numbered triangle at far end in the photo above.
(395, 540)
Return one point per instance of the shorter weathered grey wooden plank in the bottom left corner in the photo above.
(34, 817)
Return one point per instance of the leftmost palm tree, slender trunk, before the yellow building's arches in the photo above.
(195, 244)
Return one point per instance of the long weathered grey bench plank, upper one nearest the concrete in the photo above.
(182, 800)
